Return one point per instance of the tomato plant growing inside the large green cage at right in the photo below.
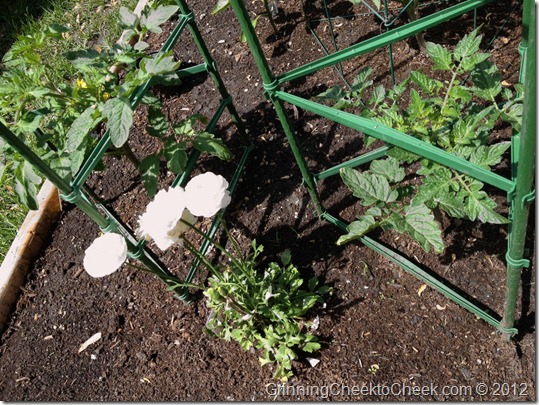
(457, 115)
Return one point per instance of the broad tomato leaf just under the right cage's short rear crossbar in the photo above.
(370, 188)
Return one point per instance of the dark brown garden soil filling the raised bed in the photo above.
(384, 336)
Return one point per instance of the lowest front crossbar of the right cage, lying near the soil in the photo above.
(421, 275)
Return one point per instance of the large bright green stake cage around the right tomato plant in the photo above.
(518, 188)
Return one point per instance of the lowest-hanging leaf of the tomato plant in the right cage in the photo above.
(422, 226)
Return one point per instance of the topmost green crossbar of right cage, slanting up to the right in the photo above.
(382, 40)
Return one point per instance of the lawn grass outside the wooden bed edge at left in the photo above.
(93, 24)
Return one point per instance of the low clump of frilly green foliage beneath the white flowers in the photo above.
(264, 309)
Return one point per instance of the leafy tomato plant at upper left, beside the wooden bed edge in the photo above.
(60, 117)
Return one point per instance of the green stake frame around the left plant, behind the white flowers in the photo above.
(77, 192)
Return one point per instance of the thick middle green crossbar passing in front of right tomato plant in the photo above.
(400, 139)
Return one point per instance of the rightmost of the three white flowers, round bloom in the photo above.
(206, 194)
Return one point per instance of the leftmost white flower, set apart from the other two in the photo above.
(105, 255)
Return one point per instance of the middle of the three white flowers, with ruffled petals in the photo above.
(161, 221)
